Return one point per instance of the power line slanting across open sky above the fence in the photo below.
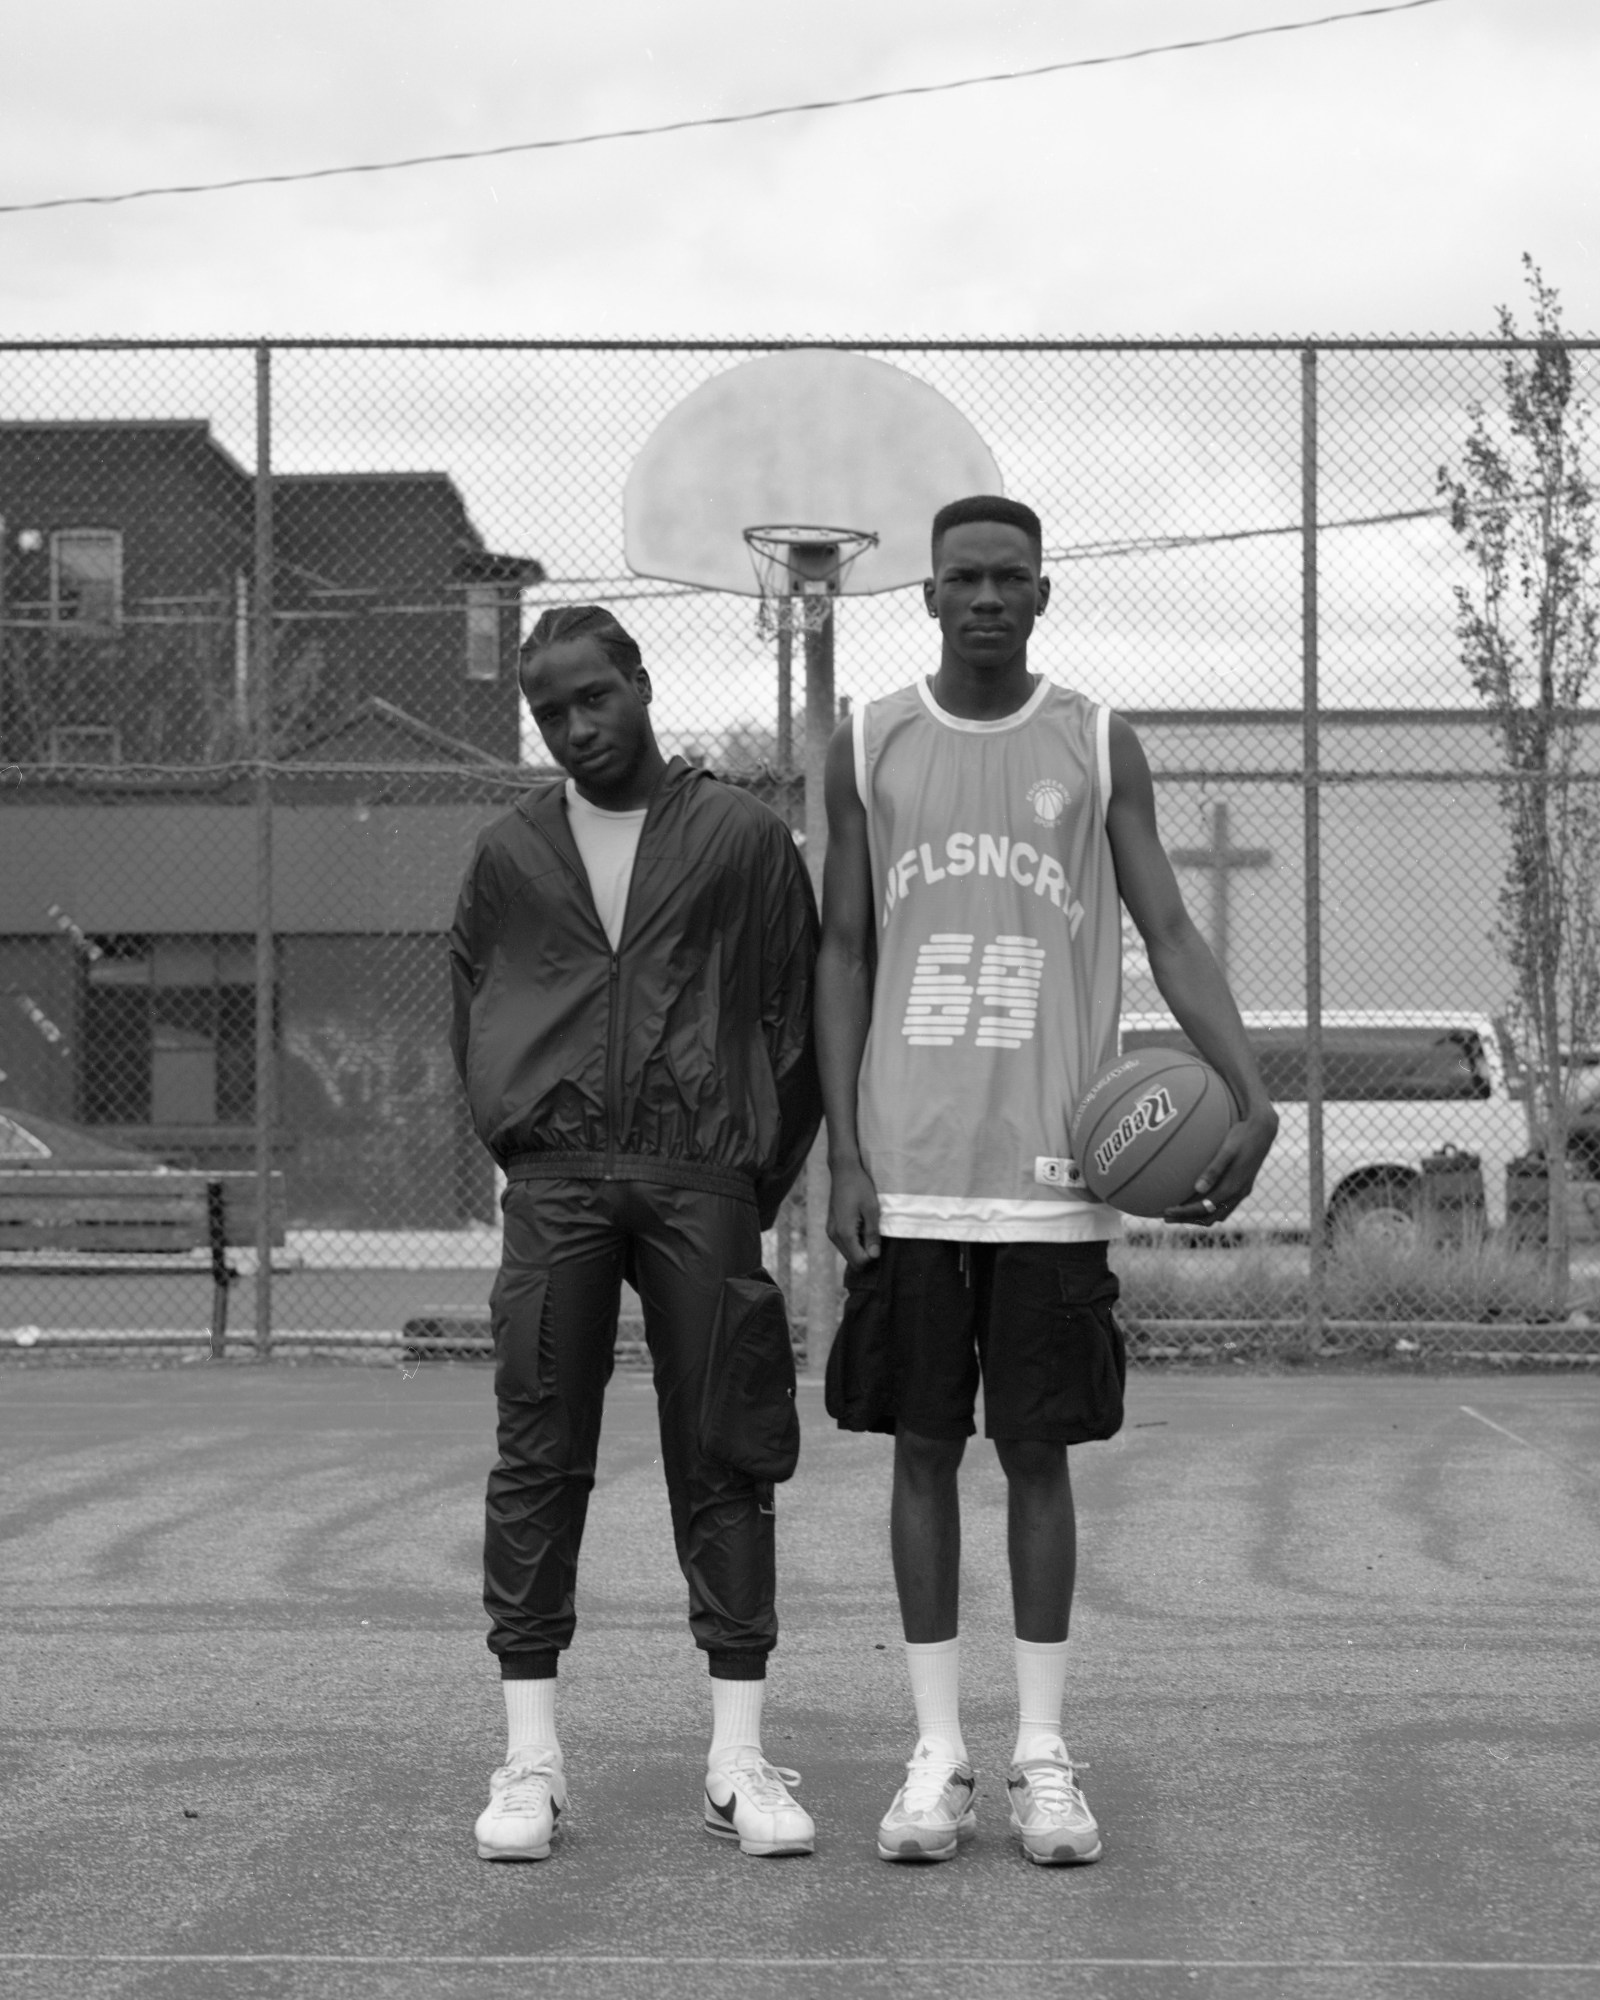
(701, 125)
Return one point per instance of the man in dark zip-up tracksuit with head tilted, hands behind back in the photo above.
(633, 969)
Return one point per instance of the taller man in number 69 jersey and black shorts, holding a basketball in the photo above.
(985, 831)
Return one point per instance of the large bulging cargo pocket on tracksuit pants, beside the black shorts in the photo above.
(747, 1417)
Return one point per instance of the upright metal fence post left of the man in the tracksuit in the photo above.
(261, 671)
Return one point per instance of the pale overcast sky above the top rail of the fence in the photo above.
(1367, 177)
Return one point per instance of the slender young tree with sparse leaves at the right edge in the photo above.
(1529, 631)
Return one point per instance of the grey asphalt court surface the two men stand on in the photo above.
(1335, 1683)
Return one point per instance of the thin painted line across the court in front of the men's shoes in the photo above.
(803, 1965)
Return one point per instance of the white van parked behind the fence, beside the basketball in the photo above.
(1395, 1089)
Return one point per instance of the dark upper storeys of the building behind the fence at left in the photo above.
(127, 575)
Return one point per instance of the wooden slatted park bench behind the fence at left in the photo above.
(95, 1215)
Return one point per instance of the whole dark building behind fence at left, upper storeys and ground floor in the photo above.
(129, 893)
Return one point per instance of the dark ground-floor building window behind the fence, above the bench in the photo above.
(169, 1033)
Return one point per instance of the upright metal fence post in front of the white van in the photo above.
(1317, 1265)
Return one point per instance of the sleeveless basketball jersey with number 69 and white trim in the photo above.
(999, 973)
